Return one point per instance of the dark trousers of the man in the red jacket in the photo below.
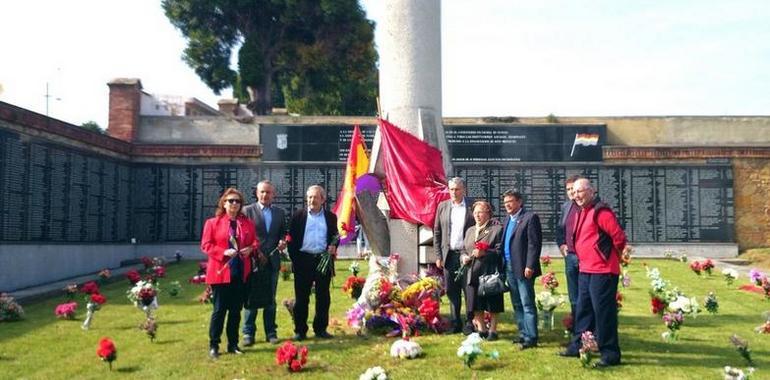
(597, 311)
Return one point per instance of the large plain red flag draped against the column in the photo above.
(414, 175)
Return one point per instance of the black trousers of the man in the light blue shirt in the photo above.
(305, 274)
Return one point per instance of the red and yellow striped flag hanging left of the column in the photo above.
(358, 165)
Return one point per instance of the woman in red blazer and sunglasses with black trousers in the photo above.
(228, 240)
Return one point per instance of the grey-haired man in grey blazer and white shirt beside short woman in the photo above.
(453, 217)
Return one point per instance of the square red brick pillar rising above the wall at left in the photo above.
(125, 101)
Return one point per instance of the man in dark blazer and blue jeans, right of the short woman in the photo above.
(522, 243)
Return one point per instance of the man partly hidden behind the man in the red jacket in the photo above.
(565, 240)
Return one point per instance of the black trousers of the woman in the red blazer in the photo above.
(228, 302)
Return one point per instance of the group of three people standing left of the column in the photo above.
(243, 245)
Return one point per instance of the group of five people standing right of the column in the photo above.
(589, 238)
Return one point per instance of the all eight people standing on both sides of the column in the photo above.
(243, 245)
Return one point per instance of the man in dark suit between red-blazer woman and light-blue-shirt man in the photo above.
(270, 225)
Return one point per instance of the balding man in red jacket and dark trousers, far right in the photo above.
(599, 242)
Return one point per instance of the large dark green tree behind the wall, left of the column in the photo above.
(317, 56)
